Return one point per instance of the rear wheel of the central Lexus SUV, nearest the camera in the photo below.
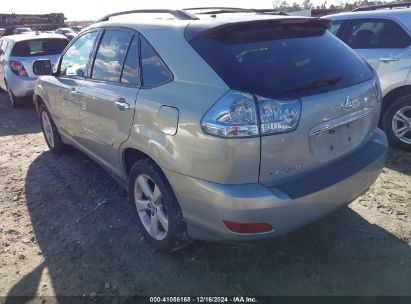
(158, 213)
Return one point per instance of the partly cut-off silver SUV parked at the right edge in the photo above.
(382, 37)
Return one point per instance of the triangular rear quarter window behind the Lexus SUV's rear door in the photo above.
(154, 71)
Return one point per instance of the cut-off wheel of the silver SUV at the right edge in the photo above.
(396, 122)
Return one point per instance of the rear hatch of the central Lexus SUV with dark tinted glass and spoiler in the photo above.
(291, 60)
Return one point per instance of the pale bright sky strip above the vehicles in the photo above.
(94, 9)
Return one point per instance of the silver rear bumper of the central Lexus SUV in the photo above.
(205, 204)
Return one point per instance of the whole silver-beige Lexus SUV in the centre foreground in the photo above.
(228, 127)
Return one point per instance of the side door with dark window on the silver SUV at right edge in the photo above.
(384, 44)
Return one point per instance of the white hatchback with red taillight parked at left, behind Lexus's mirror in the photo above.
(17, 54)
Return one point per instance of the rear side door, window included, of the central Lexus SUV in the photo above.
(109, 95)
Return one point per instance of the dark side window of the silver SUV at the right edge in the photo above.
(372, 34)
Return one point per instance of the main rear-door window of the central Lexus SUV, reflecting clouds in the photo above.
(111, 55)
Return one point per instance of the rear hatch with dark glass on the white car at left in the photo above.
(28, 51)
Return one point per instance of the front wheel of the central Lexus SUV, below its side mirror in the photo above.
(50, 131)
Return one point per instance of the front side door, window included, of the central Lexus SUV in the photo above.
(62, 89)
